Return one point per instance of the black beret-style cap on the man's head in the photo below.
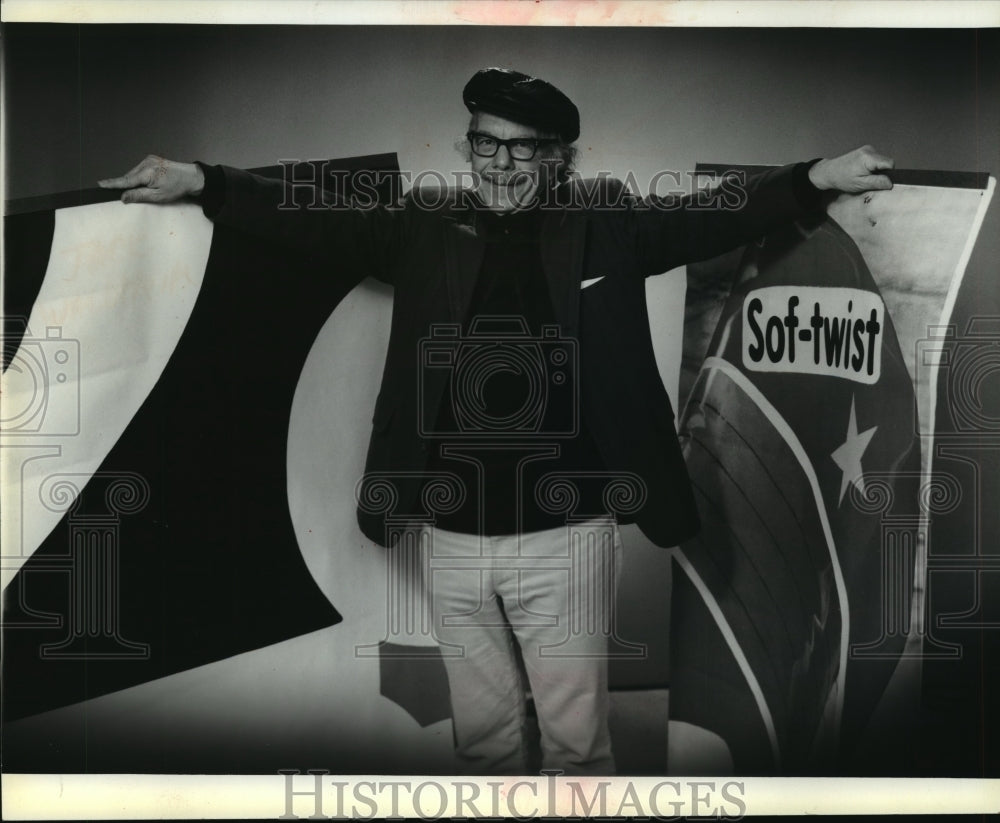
(523, 99)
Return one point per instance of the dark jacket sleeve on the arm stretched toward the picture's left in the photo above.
(354, 242)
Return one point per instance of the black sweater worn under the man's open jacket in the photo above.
(513, 398)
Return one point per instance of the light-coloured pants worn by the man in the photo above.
(551, 593)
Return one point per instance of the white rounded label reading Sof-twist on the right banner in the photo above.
(814, 330)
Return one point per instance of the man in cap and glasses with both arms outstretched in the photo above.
(520, 369)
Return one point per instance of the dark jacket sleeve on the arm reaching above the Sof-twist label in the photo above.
(669, 232)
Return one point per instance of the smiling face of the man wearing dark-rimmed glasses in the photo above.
(505, 184)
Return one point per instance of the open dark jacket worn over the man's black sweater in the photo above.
(431, 256)
